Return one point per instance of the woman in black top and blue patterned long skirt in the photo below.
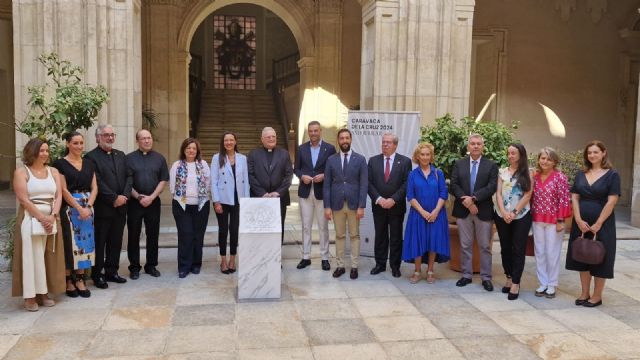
(79, 190)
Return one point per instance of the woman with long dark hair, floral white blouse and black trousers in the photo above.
(512, 216)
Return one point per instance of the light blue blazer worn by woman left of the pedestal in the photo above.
(222, 179)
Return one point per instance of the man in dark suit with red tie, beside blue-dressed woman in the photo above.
(388, 173)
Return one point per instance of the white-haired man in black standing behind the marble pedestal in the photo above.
(270, 172)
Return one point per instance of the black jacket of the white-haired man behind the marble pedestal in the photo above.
(265, 178)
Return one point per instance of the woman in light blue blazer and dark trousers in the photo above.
(229, 182)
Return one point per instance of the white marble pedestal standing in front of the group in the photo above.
(259, 247)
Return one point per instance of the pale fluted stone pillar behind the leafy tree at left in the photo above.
(102, 36)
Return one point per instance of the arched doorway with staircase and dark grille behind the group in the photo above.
(201, 32)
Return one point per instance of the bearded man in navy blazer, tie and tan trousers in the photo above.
(345, 197)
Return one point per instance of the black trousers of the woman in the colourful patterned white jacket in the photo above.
(191, 225)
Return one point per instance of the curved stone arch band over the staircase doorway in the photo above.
(288, 10)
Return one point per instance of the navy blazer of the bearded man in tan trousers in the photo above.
(350, 186)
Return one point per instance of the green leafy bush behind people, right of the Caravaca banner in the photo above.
(449, 138)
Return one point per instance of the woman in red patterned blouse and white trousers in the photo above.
(550, 206)
